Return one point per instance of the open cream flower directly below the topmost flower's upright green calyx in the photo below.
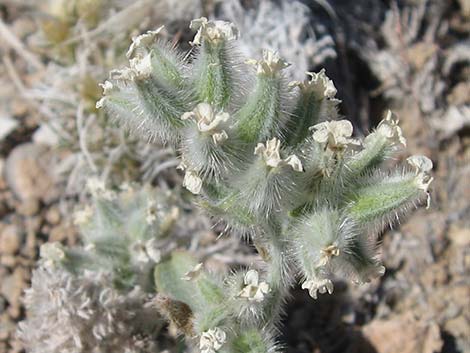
(208, 121)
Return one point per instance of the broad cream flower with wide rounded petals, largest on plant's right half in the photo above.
(335, 134)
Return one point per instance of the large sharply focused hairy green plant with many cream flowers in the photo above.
(271, 159)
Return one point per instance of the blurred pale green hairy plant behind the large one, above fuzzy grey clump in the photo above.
(125, 232)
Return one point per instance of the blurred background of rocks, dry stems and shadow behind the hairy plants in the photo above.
(410, 56)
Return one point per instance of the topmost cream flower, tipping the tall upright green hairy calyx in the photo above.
(213, 31)
